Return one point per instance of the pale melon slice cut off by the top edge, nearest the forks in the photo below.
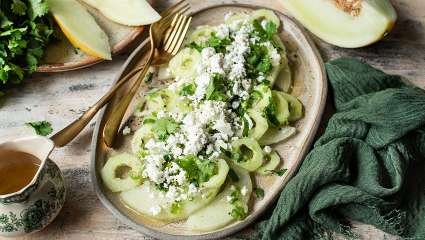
(126, 12)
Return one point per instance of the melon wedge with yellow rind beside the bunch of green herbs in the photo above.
(80, 28)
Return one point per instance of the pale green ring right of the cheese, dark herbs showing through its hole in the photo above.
(250, 152)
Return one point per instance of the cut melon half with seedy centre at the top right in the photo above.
(344, 23)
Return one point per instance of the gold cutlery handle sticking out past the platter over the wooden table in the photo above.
(64, 136)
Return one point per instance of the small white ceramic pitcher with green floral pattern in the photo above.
(37, 204)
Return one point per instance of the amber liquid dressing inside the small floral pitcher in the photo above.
(17, 169)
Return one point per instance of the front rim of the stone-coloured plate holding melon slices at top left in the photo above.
(90, 60)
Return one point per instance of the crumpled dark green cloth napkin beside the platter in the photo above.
(368, 166)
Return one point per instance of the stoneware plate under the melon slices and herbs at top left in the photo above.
(61, 56)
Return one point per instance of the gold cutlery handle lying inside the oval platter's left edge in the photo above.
(112, 126)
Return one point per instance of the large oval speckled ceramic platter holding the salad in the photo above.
(309, 86)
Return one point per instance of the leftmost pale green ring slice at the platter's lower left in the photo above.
(121, 183)
